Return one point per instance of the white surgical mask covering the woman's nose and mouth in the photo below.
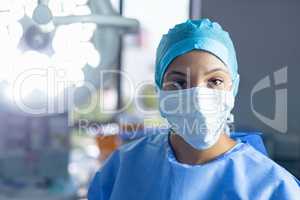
(199, 114)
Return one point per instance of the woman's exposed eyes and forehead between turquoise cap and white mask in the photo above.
(197, 68)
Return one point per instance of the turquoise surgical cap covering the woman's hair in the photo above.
(201, 34)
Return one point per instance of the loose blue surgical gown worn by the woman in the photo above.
(147, 169)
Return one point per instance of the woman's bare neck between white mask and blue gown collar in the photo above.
(185, 153)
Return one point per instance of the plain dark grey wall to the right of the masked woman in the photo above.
(266, 36)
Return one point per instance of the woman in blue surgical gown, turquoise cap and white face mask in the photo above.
(197, 80)
